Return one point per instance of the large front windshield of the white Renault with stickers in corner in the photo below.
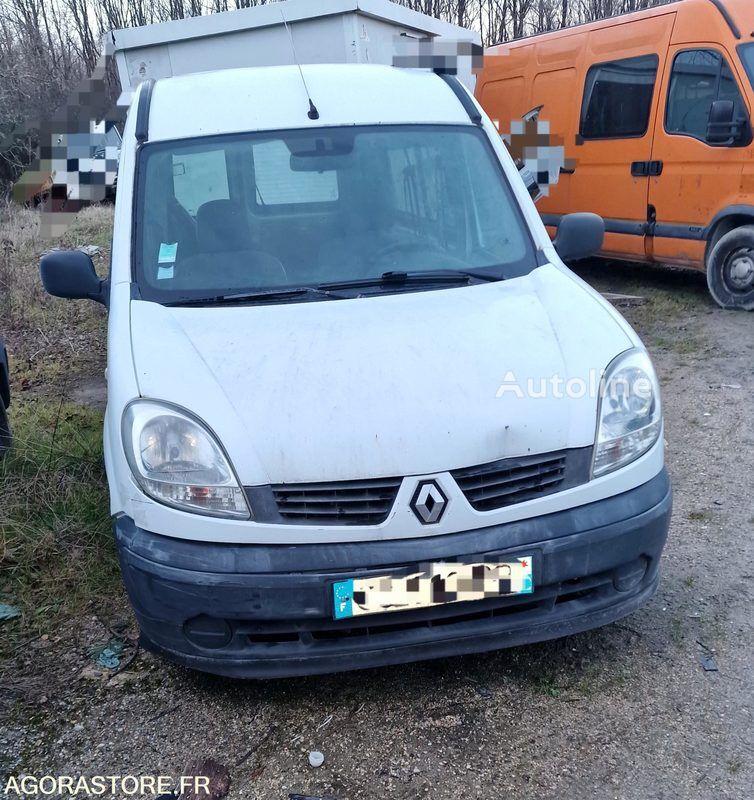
(243, 213)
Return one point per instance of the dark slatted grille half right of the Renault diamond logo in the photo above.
(514, 480)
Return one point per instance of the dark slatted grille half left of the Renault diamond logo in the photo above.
(361, 502)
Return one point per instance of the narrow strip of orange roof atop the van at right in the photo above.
(736, 13)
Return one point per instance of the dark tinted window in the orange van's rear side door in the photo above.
(618, 98)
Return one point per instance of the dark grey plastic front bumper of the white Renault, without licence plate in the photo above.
(263, 611)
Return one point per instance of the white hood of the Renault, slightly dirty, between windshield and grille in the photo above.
(383, 386)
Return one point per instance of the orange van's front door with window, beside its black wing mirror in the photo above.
(694, 178)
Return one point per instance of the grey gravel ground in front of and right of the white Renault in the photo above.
(626, 711)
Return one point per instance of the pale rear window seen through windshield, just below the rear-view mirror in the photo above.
(276, 184)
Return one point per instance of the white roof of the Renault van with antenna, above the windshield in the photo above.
(274, 98)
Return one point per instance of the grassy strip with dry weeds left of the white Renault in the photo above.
(56, 549)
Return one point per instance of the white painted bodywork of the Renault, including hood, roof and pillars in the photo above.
(388, 386)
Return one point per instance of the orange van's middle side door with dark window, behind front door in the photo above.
(616, 127)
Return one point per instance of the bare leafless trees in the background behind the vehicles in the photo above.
(46, 46)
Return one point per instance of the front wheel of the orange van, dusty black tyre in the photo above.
(730, 269)
